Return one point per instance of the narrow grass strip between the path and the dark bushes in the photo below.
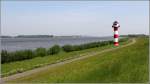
(24, 65)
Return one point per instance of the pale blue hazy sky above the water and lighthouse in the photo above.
(90, 18)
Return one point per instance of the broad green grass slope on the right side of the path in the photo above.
(126, 65)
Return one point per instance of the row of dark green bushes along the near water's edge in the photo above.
(7, 57)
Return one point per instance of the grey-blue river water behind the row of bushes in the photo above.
(13, 44)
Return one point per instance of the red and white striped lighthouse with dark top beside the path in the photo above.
(116, 35)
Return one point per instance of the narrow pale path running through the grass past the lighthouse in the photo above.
(26, 73)
